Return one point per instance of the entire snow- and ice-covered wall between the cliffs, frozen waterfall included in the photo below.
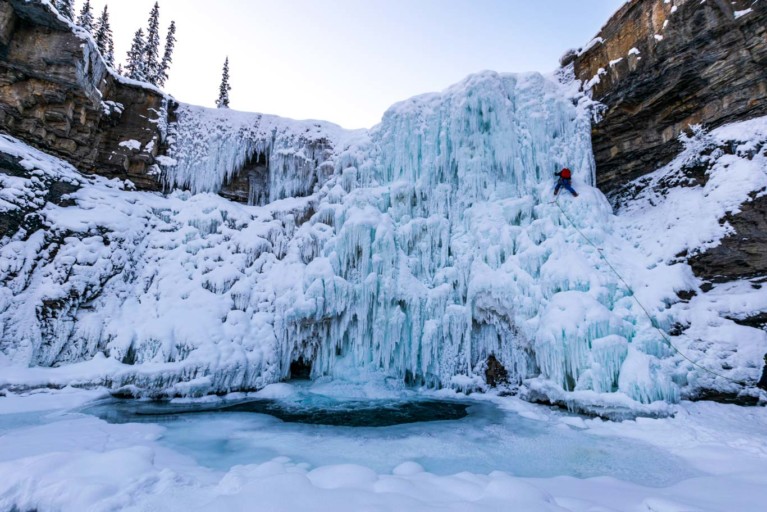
(422, 247)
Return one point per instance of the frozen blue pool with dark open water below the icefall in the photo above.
(445, 436)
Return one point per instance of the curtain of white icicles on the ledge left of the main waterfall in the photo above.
(212, 149)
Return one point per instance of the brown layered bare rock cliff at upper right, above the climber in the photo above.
(660, 66)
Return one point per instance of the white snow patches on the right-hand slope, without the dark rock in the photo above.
(681, 209)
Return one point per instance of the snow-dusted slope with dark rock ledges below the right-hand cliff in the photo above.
(706, 208)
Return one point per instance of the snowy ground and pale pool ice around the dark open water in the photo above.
(708, 457)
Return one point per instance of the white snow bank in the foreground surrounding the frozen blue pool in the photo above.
(51, 459)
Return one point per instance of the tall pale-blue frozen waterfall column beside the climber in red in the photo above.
(445, 250)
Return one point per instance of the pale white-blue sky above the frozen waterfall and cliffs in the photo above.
(347, 61)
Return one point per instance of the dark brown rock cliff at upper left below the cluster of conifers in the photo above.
(57, 94)
